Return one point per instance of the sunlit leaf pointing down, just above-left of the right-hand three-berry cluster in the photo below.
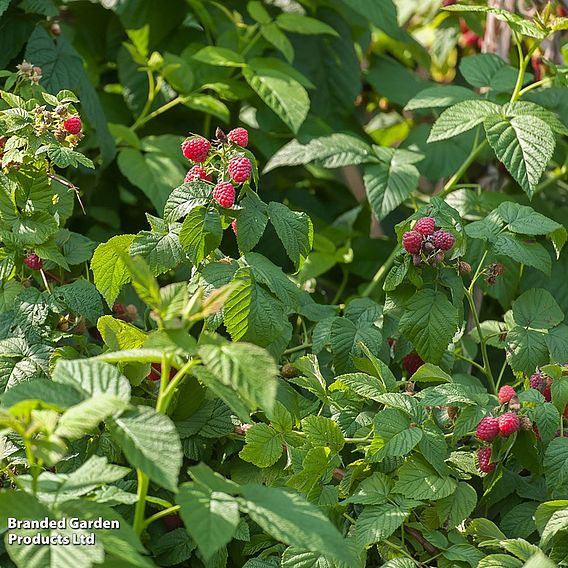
(390, 183)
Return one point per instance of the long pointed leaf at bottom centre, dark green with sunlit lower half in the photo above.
(290, 519)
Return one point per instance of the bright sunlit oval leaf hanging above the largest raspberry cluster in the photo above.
(280, 92)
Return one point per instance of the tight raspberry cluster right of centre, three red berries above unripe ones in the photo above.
(426, 243)
